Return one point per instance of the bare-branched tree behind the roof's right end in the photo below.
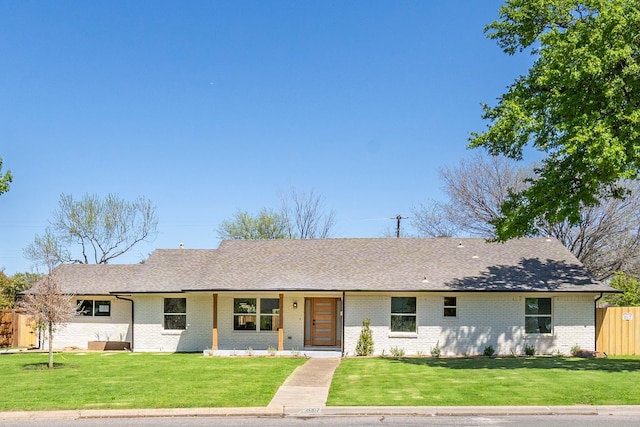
(606, 239)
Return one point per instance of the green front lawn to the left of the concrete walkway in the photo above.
(139, 380)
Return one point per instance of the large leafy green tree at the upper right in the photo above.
(579, 104)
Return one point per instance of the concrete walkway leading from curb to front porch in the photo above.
(307, 388)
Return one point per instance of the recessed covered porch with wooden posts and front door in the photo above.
(294, 323)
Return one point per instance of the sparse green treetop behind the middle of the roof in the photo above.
(265, 225)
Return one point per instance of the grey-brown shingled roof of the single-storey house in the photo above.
(388, 264)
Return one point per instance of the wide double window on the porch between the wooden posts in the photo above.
(246, 317)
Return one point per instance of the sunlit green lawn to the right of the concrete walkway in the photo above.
(486, 381)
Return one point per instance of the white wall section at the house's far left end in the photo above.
(82, 329)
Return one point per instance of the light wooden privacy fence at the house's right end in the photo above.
(618, 331)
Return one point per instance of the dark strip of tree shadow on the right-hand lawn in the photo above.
(568, 364)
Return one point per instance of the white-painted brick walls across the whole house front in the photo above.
(483, 319)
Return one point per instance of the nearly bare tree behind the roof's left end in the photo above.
(103, 229)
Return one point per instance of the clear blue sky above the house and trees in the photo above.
(207, 107)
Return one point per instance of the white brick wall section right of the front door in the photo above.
(483, 319)
